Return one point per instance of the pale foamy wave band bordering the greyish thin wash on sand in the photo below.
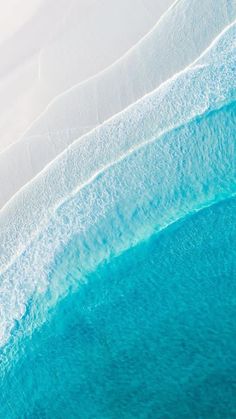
(193, 92)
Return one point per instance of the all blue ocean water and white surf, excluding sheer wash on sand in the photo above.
(122, 304)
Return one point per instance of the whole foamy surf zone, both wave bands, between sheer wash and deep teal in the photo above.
(166, 156)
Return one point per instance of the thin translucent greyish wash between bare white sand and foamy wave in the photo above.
(89, 104)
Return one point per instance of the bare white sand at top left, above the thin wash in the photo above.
(63, 43)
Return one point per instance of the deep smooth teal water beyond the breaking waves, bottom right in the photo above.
(151, 334)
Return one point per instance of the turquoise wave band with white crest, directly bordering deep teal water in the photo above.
(183, 171)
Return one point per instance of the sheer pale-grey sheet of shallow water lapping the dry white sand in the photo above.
(79, 109)
